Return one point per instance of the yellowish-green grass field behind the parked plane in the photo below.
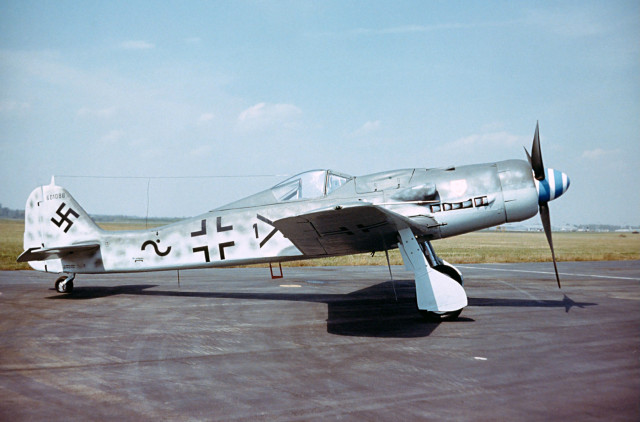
(470, 248)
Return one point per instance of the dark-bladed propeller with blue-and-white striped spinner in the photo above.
(550, 184)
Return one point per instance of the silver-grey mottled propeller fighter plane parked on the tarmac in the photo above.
(318, 213)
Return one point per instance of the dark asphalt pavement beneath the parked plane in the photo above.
(323, 343)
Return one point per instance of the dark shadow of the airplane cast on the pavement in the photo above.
(375, 311)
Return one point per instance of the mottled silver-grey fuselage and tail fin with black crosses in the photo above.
(243, 232)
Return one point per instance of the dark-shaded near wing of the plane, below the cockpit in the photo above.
(351, 228)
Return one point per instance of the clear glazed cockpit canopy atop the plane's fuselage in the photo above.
(308, 185)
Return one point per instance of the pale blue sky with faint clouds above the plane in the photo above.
(176, 89)
